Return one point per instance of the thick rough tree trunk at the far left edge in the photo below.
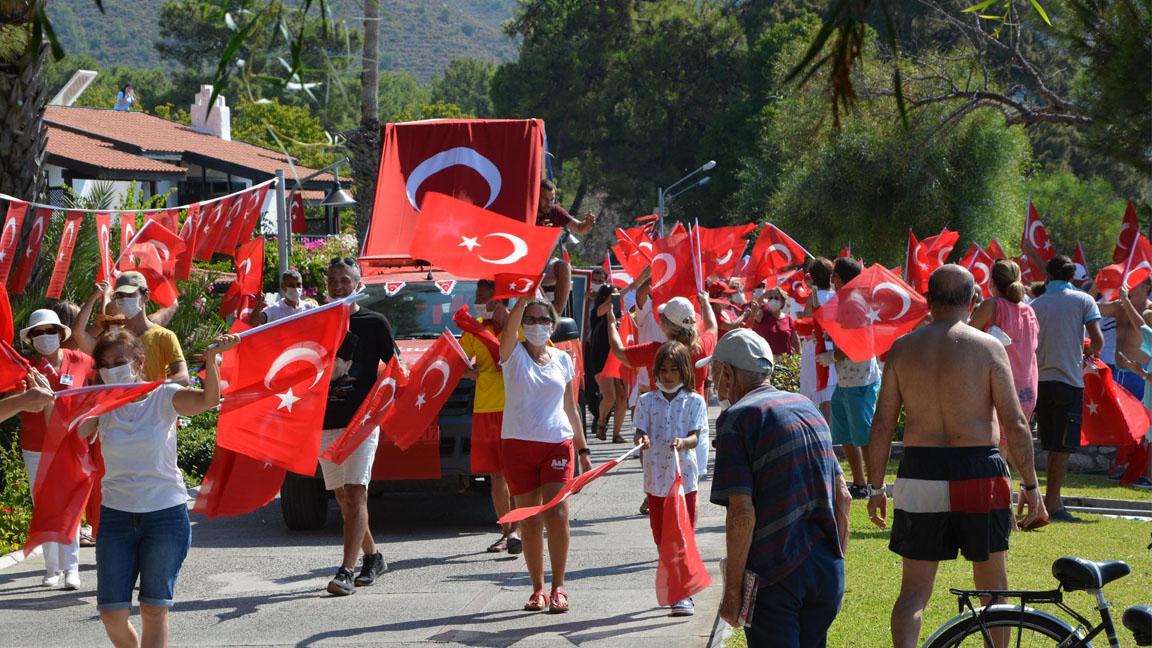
(24, 135)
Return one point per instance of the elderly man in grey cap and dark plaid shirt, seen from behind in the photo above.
(787, 501)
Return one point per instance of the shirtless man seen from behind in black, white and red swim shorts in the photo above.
(953, 491)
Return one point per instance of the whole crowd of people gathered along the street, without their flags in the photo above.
(997, 364)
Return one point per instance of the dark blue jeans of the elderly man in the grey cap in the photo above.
(797, 612)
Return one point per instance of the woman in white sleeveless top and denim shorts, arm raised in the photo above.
(145, 530)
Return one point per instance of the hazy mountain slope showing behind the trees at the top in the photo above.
(416, 36)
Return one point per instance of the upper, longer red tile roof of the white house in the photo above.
(160, 137)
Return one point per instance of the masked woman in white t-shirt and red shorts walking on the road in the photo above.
(540, 430)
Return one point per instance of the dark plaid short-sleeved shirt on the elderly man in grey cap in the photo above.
(776, 447)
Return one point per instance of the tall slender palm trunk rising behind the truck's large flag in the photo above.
(365, 144)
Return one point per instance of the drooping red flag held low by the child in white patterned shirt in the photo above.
(680, 571)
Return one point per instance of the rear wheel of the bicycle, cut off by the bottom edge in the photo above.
(1025, 630)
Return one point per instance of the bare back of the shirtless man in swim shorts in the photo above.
(948, 378)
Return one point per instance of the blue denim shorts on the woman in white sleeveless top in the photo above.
(150, 546)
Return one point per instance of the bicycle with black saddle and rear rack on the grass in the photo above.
(974, 626)
